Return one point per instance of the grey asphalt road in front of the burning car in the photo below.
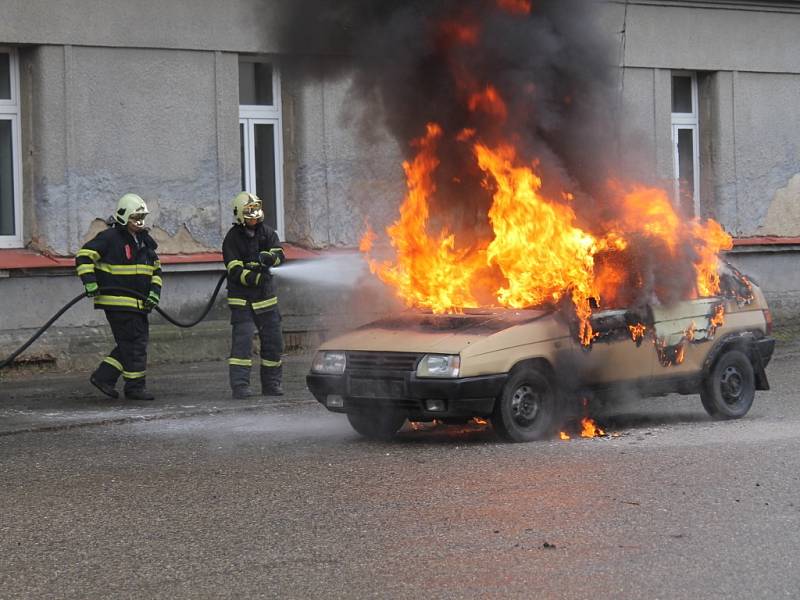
(287, 502)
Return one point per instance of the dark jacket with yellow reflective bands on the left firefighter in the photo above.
(115, 258)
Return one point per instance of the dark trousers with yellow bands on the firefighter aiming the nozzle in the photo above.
(245, 323)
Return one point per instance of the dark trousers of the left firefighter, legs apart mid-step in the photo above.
(129, 357)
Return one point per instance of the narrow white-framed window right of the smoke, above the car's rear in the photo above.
(685, 144)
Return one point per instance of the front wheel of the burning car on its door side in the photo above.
(526, 408)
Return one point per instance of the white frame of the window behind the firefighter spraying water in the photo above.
(251, 115)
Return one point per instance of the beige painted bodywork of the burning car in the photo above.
(549, 337)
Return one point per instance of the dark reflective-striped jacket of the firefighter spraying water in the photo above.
(249, 280)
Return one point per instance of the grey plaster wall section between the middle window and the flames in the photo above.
(337, 177)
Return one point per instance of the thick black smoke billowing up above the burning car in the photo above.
(550, 67)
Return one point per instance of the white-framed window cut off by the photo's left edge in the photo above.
(10, 169)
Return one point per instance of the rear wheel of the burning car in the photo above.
(728, 390)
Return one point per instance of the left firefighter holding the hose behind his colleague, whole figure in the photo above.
(123, 256)
